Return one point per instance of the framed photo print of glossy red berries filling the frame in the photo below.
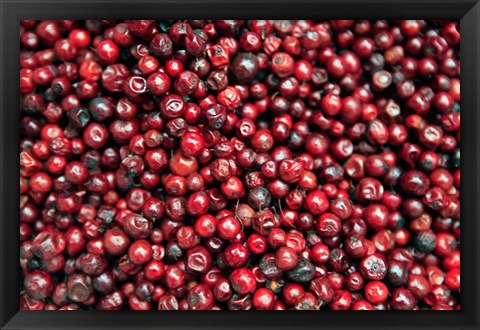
(239, 165)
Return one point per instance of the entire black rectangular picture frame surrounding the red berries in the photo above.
(11, 11)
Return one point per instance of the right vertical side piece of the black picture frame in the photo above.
(470, 162)
